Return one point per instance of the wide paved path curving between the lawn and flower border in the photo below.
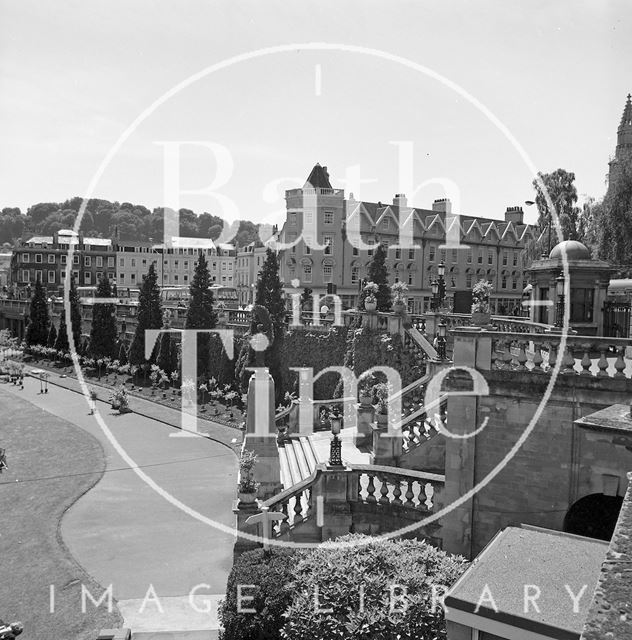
(125, 534)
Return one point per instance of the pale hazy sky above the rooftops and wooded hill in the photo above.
(75, 75)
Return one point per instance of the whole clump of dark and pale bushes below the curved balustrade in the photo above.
(291, 588)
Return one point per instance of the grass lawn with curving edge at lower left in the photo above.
(51, 464)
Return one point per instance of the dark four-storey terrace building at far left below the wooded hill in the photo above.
(45, 257)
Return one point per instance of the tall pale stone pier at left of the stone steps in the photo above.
(261, 433)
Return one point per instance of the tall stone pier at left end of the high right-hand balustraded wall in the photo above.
(473, 351)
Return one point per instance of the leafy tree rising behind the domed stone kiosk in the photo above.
(563, 193)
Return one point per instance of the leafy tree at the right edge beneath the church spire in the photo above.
(615, 219)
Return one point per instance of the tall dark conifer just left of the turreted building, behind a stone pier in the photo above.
(270, 295)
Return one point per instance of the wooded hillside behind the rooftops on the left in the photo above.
(125, 220)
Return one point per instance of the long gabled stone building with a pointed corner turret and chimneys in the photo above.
(320, 224)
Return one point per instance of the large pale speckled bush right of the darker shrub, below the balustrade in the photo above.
(339, 574)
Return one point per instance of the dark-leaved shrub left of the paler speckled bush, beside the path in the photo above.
(270, 572)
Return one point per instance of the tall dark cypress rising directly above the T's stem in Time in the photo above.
(201, 314)
